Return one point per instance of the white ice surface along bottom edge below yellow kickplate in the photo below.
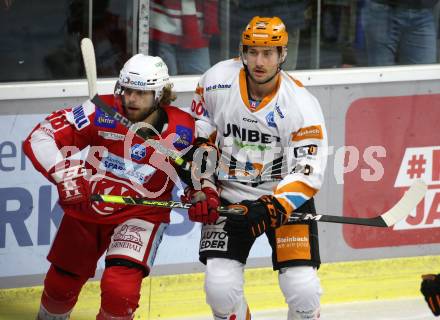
(401, 309)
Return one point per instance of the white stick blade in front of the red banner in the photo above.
(406, 204)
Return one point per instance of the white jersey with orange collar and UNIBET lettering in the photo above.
(278, 148)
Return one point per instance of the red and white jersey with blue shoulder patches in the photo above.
(118, 162)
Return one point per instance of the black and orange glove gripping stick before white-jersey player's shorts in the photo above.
(257, 217)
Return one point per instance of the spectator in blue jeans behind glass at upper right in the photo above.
(400, 32)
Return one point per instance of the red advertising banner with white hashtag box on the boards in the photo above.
(396, 140)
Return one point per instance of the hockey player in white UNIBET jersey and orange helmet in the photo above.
(272, 141)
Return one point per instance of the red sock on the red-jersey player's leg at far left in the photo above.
(61, 290)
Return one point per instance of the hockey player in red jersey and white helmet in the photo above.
(119, 163)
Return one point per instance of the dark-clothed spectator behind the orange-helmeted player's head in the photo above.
(292, 12)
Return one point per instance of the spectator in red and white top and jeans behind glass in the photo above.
(180, 31)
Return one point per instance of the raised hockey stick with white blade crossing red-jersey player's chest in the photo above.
(88, 54)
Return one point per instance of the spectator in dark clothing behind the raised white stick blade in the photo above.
(109, 36)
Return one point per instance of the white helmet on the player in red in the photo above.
(144, 73)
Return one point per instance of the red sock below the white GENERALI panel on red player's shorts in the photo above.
(120, 292)
